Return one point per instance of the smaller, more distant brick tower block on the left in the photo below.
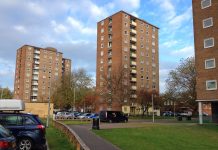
(36, 70)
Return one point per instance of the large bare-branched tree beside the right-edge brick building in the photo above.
(181, 83)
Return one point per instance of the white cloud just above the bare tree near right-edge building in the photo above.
(186, 52)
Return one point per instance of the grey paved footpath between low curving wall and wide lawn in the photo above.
(91, 140)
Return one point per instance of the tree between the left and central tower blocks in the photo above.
(78, 83)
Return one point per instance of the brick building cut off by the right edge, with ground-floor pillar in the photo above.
(205, 14)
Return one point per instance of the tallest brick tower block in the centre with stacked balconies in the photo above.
(127, 47)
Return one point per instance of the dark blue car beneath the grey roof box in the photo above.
(27, 128)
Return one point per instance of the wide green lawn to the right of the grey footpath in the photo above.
(164, 137)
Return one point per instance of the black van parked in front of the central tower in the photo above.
(112, 116)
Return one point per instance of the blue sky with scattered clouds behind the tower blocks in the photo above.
(71, 27)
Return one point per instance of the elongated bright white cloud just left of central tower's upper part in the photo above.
(77, 25)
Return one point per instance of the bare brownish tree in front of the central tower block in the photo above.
(116, 87)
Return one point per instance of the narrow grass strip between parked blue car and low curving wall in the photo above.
(57, 140)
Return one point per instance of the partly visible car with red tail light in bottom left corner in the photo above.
(7, 140)
